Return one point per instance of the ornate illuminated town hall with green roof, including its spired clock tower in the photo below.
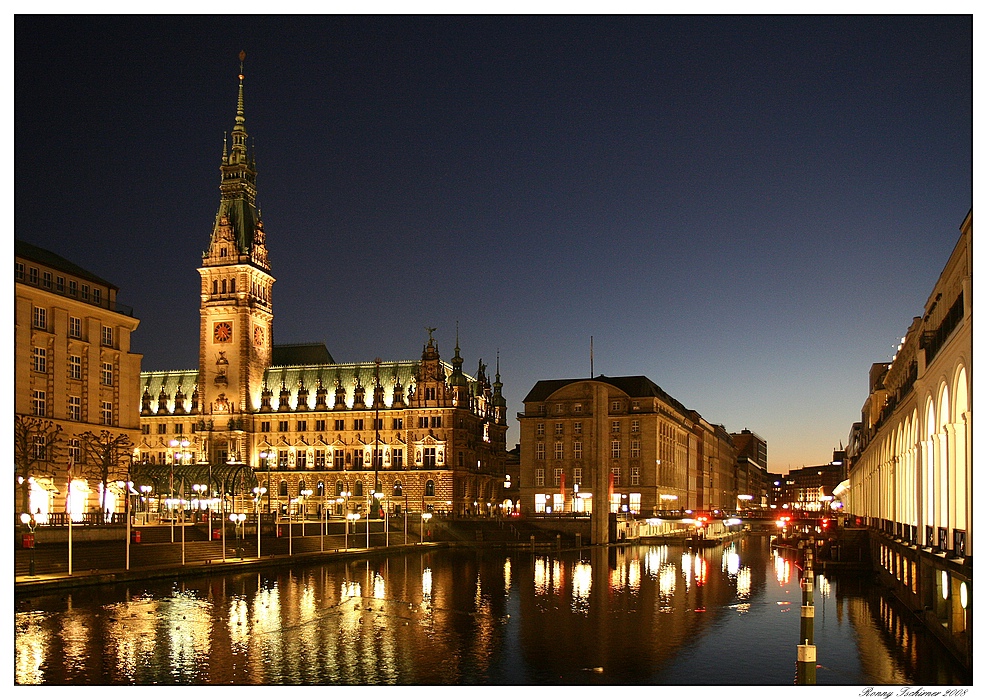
(289, 419)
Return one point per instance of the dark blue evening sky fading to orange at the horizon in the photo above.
(749, 211)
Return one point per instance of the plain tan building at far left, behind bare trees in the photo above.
(74, 374)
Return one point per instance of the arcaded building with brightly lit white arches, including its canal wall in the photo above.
(911, 458)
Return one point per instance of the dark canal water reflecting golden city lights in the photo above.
(723, 616)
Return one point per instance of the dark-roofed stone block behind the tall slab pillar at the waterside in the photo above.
(627, 438)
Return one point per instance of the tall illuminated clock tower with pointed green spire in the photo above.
(235, 310)
